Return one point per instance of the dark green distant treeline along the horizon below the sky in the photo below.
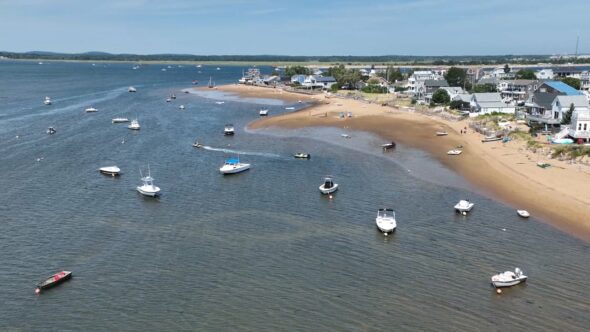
(402, 59)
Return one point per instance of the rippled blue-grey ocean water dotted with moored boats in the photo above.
(262, 250)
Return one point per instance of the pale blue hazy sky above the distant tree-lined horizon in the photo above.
(298, 27)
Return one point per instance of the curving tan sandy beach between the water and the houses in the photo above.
(558, 195)
